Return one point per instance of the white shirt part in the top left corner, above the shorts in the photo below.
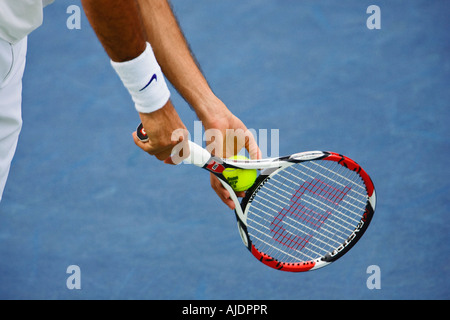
(20, 17)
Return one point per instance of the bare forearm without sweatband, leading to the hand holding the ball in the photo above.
(174, 56)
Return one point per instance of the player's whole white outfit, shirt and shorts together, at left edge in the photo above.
(18, 18)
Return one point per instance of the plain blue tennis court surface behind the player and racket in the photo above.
(81, 193)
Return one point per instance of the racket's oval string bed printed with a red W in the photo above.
(306, 211)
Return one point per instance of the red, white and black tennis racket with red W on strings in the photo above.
(303, 212)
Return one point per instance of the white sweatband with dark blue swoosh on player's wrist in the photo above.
(144, 80)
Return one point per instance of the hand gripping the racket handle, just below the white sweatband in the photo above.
(160, 126)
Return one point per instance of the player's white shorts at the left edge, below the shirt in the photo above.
(12, 66)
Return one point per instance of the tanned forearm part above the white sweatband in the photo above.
(117, 26)
